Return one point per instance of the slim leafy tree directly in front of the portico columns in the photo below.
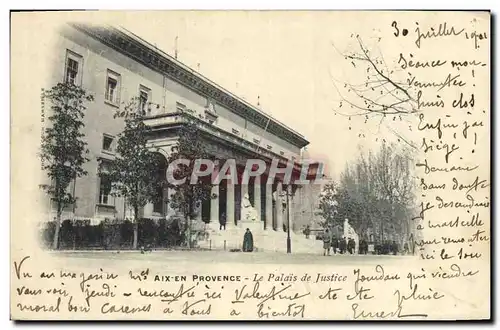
(188, 196)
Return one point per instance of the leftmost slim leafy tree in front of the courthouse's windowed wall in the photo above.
(63, 148)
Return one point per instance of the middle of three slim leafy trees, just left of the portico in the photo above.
(133, 172)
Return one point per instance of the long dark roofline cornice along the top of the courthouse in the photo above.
(147, 55)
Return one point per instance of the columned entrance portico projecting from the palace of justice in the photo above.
(267, 199)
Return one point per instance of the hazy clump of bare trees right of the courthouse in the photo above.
(375, 192)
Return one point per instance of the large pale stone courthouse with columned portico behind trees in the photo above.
(115, 66)
